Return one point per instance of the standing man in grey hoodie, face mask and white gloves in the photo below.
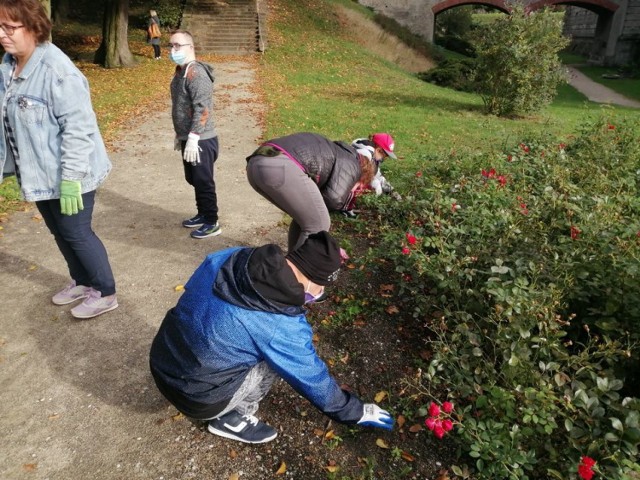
(196, 137)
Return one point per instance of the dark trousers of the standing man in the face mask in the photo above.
(201, 178)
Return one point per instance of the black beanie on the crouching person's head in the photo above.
(318, 258)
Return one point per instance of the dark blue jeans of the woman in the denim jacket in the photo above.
(82, 249)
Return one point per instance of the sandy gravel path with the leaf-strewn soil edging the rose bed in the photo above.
(77, 397)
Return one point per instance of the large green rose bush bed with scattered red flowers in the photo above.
(521, 270)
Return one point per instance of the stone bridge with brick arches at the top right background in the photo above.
(609, 29)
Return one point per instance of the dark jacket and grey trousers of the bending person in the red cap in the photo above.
(306, 175)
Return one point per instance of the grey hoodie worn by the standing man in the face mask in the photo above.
(192, 100)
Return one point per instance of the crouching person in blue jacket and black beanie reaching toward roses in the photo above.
(239, 325)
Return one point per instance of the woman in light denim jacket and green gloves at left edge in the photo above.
(50, 140)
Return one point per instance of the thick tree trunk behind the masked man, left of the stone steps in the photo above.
(114, 50)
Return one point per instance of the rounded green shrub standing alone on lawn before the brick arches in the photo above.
(518, 65)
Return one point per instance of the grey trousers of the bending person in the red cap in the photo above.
(283, 183)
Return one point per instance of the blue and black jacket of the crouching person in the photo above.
(222, 327)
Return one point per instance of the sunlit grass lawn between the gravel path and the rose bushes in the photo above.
(331, 85)
